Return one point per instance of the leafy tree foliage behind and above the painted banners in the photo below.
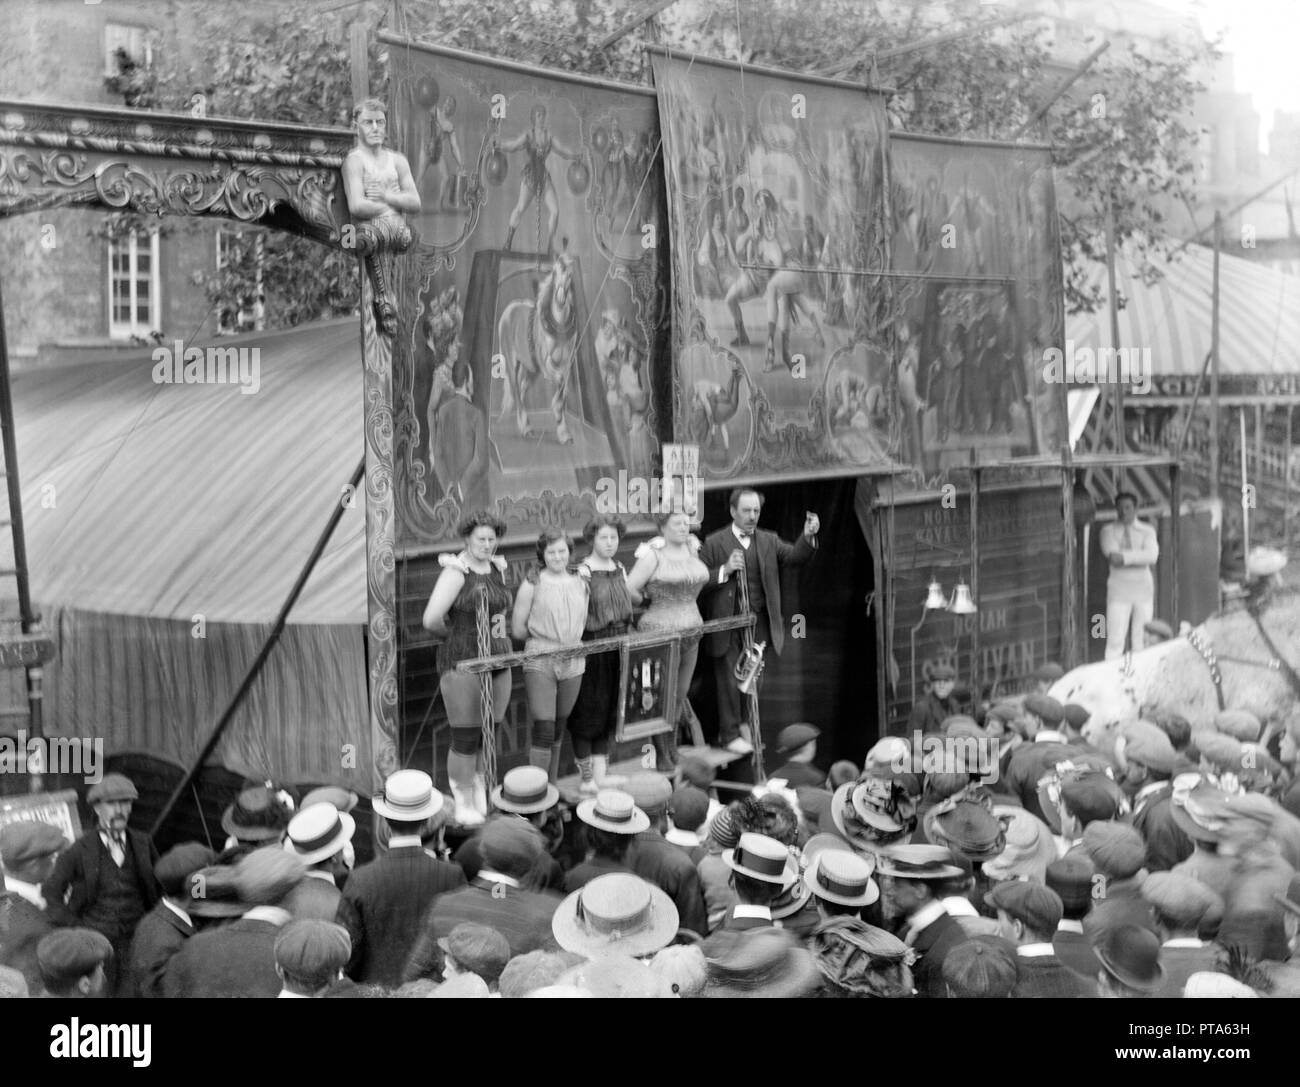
(1133, 154)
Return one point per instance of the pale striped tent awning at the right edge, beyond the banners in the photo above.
(1171, 323)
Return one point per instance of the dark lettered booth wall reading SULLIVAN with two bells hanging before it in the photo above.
(1019, 591)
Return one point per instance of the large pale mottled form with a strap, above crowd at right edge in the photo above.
(1175, 675)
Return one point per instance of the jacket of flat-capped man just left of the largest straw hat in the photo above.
(522, 917)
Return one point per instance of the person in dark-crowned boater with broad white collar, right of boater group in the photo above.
(911, 881)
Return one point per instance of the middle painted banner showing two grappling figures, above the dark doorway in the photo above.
(777, 202)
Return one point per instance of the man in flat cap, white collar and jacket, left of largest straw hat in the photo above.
(513, 852)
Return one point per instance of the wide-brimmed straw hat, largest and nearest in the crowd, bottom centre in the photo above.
(617, 913)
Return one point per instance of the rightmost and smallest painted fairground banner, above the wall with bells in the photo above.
(977, 285)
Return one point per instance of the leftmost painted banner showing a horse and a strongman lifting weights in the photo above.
(526, 379)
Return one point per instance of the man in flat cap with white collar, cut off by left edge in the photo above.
(28, 851)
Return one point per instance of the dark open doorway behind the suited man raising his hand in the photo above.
(827, 670)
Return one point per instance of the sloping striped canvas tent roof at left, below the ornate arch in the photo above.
(174, 501)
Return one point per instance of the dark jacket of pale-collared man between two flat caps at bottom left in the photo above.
(237, 960)
